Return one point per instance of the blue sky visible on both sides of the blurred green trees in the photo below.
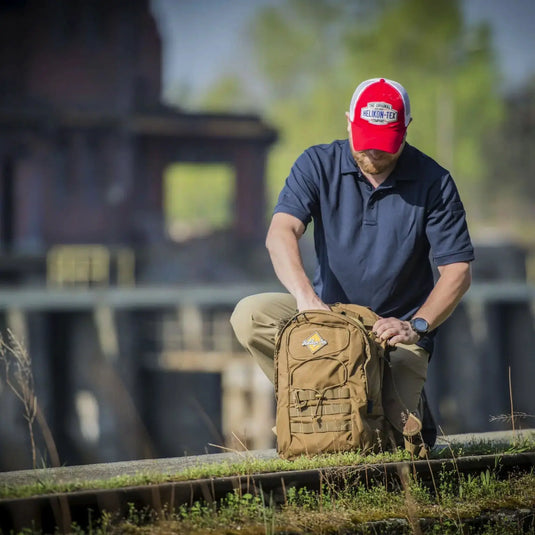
(212, 32)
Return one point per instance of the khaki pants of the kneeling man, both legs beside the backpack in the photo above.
(257, 319)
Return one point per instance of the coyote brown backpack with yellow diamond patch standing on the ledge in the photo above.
(328, 377)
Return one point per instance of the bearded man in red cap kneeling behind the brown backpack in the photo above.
(380, 208)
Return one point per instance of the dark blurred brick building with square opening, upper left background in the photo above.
(84, 139)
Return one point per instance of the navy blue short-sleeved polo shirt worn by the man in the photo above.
(374, 245)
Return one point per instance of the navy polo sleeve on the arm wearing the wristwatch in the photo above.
(447, 230)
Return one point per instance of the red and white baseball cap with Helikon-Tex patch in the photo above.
(380, 113)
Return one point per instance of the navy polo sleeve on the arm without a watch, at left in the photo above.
(299, 196)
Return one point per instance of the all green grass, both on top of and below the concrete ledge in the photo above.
(452, 503)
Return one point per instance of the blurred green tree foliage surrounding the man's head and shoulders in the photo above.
(314, 54)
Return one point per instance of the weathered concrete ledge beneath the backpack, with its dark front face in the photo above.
(50, 512)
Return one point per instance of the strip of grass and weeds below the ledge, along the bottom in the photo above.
(456, 500)
